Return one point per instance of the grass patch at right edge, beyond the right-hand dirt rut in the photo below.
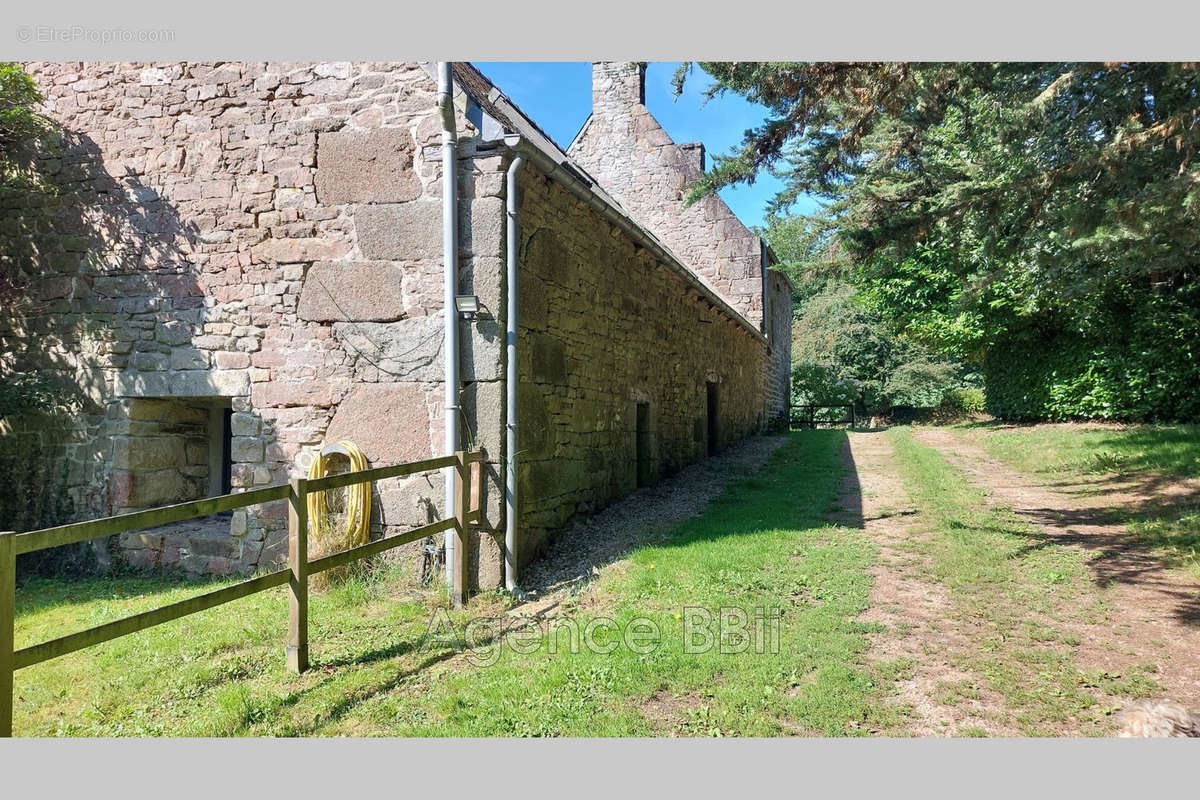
(1168, 452)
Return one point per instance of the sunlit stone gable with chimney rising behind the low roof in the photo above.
(626, 149)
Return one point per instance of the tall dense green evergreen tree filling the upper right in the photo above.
(1004, 209)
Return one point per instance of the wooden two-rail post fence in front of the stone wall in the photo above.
(469, 483)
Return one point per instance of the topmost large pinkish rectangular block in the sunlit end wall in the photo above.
(367, 167)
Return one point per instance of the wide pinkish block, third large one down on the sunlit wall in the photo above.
(353, 292)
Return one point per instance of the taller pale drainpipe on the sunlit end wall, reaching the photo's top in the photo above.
(451, 288)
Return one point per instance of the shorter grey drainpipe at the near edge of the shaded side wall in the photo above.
(511, 338)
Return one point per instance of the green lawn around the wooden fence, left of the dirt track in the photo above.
(380, 671)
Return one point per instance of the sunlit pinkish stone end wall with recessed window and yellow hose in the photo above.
(265, 234)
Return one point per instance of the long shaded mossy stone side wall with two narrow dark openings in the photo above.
(605, 327)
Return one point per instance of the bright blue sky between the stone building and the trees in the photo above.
(559, 97)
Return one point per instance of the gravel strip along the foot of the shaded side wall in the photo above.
(646, 516)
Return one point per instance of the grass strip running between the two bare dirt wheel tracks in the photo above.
(1024, 597)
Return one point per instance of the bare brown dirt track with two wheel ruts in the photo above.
(1153, 613)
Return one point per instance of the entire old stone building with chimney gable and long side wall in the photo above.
(241, 262)
